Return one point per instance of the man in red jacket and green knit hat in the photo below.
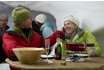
(21, 34)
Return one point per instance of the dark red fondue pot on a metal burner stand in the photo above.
(76, 46)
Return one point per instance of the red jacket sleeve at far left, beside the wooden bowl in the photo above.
(9, 42)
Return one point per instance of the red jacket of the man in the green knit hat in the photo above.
(14, 40)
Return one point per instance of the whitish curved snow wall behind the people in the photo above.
(90, 13)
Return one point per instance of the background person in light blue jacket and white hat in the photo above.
(46, 28)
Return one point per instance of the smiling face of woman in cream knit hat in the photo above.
(69, 27)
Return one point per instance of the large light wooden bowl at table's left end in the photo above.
(28, 55)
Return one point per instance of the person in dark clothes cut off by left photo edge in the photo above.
(3, 28)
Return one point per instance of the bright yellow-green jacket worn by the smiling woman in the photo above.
(86, 37)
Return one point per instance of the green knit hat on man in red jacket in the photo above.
(20, 14)
